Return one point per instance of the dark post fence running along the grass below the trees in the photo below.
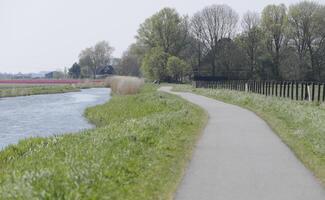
(294, 90)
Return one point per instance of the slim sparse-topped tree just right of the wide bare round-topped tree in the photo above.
(250, 41)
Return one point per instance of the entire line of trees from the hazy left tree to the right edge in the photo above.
(280, 43)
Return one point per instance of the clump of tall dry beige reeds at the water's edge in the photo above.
(124, 85)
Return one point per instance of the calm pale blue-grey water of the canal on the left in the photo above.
(45, 115)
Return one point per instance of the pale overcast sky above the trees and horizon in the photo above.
(38, 35)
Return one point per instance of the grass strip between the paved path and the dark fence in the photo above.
(301, 125)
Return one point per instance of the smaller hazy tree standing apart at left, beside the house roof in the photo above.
(97, 56)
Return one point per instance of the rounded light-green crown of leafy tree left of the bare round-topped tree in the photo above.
(166, 29)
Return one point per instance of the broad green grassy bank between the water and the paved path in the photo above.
(138, 150)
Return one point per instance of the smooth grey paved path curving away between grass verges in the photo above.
(239, 158)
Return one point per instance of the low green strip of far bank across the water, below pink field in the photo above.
(26, 90)
